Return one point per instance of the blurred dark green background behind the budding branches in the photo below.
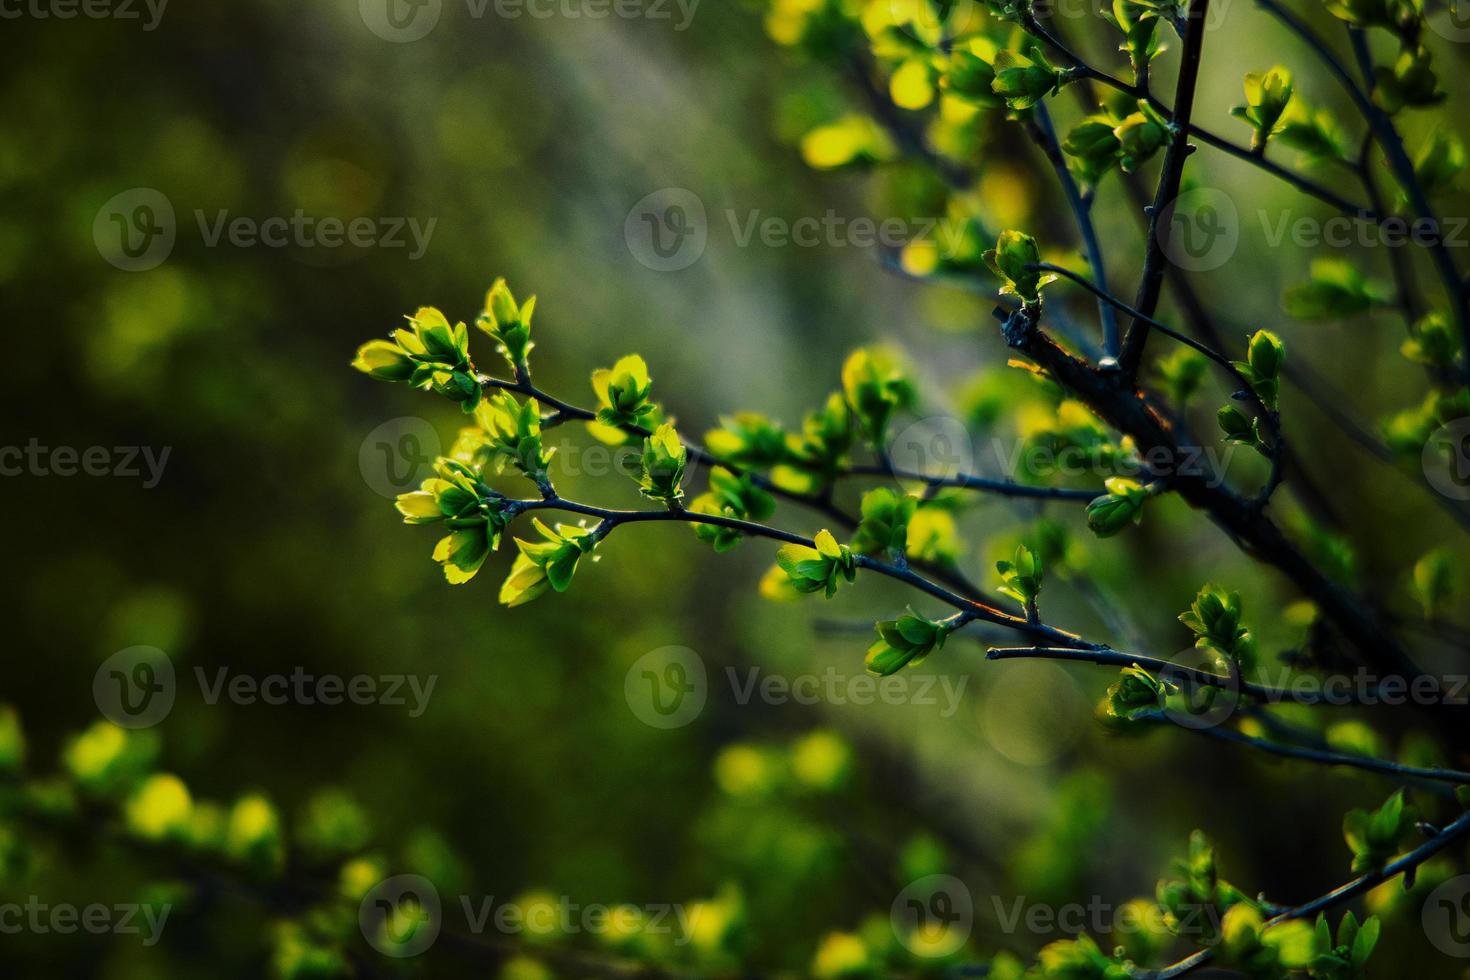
(268, 546)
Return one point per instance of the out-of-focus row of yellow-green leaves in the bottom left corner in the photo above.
(110, 787)
